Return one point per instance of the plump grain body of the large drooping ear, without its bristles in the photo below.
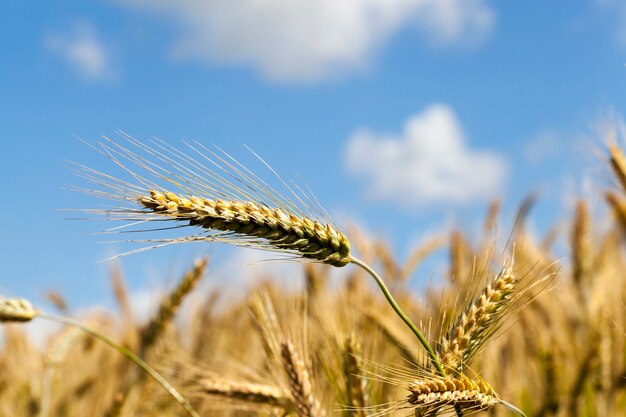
(282, 230)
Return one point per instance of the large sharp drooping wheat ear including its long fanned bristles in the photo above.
(216, 197)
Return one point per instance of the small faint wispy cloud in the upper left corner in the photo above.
(83, 51)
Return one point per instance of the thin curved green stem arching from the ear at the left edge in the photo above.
(130, 355)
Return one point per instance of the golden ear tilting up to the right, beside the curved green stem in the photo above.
(477, 323)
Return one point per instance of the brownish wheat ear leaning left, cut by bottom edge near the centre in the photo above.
(299, 382)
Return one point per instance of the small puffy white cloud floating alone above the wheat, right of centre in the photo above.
(428, 163)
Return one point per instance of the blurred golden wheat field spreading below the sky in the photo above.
(552, 342)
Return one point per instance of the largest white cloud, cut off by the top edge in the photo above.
(308, 40)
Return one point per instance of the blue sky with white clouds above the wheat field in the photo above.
(395, 112)
